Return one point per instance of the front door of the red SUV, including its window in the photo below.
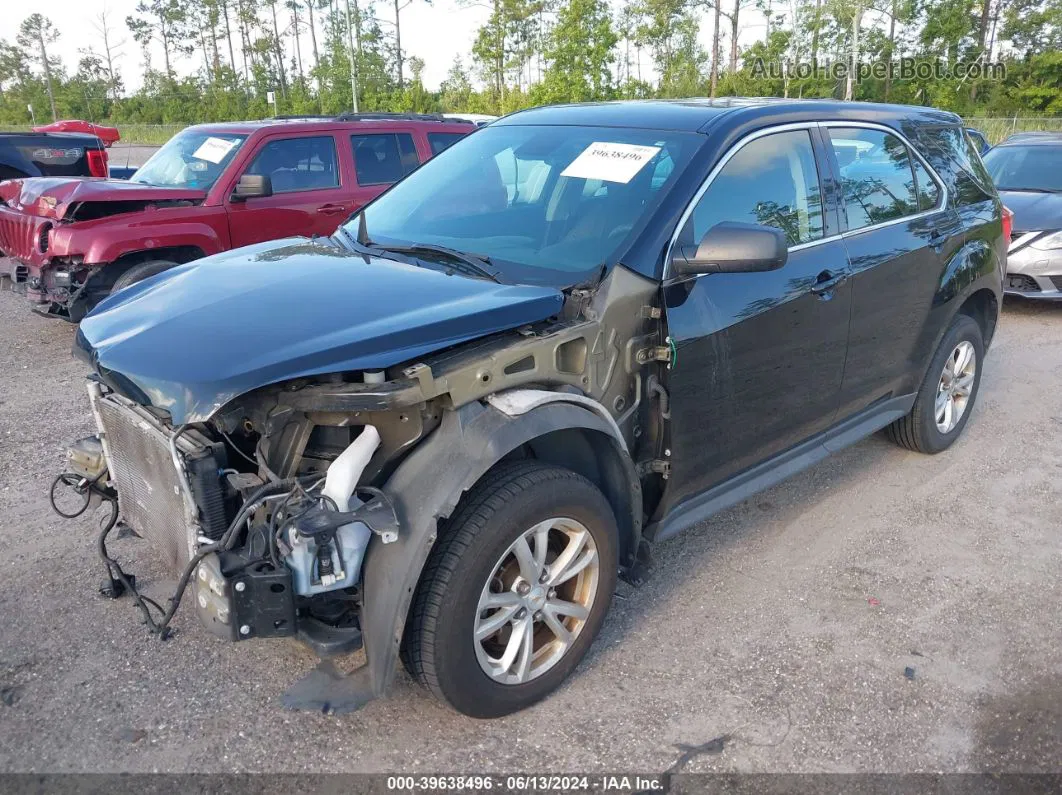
(310, 197)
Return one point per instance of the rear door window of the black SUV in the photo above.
(877, 176)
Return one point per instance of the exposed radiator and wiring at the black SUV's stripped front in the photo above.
(264, 557)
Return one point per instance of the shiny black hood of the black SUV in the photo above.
(200, 335)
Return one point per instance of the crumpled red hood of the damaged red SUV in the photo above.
(55, 197)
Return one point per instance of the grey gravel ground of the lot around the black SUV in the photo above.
(773, 638)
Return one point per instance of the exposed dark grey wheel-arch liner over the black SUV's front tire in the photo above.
(426, 489)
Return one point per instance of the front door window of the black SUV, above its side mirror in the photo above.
(772, 181)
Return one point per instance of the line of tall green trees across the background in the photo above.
(218, 60)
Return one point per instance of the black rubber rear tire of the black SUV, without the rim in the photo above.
(918, 431)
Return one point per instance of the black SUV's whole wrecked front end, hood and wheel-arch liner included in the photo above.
(306, 507)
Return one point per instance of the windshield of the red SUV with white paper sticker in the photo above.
(191, 160)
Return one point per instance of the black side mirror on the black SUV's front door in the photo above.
(733, 248)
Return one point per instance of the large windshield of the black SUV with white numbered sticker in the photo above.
(558, 199)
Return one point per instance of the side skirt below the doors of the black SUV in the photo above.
(699, 508)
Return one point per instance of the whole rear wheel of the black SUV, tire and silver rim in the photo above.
(947, 399)
